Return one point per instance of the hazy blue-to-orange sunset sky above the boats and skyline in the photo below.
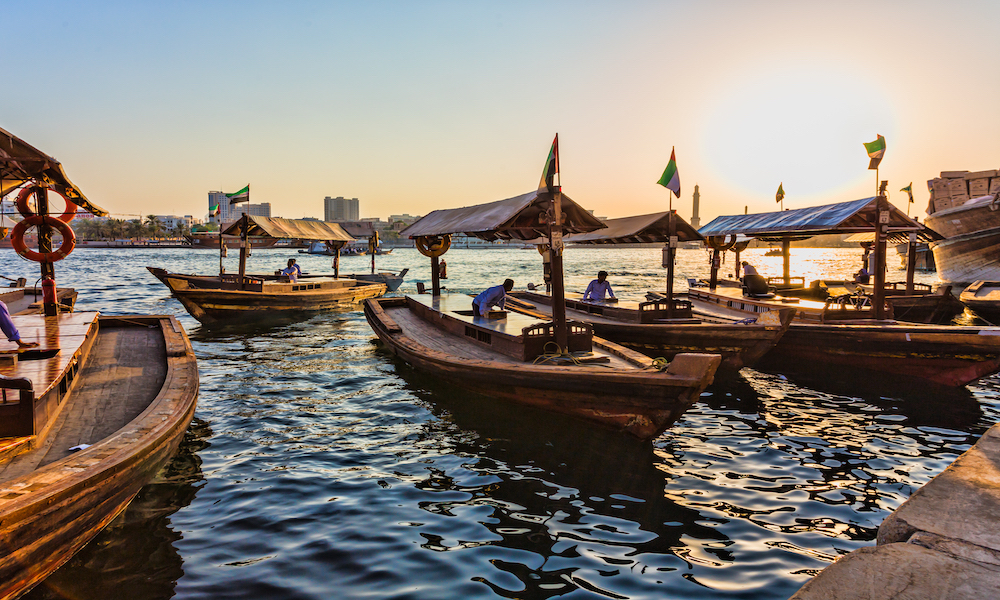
(411, 106)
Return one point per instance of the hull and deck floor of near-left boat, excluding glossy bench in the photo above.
(48, 513)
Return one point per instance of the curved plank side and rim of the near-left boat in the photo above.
(48, 515)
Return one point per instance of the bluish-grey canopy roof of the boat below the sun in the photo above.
(803, 223)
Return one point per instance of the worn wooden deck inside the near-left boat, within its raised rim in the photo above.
(125, 371)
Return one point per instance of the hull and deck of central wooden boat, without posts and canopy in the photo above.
(606, 383)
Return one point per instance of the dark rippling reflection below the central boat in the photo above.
(560, 492)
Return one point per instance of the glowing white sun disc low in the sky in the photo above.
(803, 128)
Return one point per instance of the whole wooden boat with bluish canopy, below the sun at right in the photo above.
(848, 330)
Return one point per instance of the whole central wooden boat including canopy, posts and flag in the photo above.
(557, 365)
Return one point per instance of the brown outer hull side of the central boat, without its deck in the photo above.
(642, 402)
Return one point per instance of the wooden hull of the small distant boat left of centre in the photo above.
(211, 302)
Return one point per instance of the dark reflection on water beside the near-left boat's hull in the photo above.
(135, 556)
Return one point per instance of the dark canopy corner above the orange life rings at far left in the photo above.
(21, 163)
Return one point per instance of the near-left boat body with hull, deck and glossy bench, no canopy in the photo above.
(53, 501)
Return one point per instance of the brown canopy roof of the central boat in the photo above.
(513, 218)
